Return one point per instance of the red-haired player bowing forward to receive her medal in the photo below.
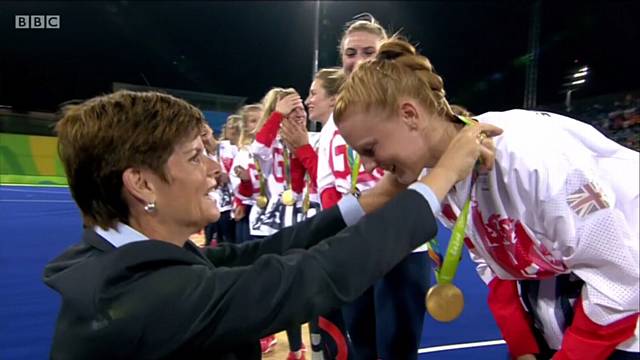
(554, 224)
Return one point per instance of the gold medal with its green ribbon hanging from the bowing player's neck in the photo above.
(445, 301)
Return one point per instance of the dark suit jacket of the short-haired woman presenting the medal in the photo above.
(151, 299)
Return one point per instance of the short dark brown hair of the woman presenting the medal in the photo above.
(102, 137)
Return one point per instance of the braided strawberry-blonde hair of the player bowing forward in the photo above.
(396, 71)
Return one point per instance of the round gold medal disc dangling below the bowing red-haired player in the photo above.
(444, 302)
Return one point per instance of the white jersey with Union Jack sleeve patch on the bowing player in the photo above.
(562, 198)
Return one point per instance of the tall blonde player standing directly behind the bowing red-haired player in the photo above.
(384, 322)
